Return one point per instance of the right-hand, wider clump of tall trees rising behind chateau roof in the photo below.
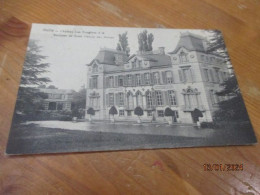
(145, 41)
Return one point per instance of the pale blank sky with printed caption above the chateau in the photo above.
(70, 48)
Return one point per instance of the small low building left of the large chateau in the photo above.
(57, 99)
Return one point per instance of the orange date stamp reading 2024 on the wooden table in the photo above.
(223, 167)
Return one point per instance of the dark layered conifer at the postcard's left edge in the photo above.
(29, 97)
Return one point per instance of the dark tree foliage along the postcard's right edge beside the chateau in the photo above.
(233, 107)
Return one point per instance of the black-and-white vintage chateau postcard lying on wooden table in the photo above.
(89, 88)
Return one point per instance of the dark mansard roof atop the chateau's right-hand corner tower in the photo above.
(190, 42)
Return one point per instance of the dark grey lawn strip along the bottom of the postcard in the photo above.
(31, 139)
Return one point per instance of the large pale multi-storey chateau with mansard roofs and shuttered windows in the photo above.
(184, 80)
